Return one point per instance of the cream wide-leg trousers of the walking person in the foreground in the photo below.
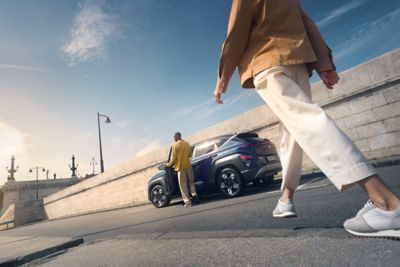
(306, 127)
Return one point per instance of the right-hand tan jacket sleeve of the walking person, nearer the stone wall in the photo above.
(321, 49)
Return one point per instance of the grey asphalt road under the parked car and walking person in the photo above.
(206, 234)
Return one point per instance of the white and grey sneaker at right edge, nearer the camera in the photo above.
(371, 221)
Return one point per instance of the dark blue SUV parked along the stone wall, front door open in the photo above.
(226, 163)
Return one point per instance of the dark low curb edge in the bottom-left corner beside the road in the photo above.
(41, 253)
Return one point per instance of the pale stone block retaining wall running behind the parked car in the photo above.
(366, 105)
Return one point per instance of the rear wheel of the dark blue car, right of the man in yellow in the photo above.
(230, 182)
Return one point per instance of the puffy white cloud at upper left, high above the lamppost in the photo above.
(93, 30)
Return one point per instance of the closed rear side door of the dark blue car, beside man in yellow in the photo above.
(202, 161)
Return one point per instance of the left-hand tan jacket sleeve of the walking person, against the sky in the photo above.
(239, 26)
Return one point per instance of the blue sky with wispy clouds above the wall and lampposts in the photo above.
(148, 64)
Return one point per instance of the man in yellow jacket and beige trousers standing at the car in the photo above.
(181, 153)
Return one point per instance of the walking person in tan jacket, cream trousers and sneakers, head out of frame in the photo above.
(275, 46)
